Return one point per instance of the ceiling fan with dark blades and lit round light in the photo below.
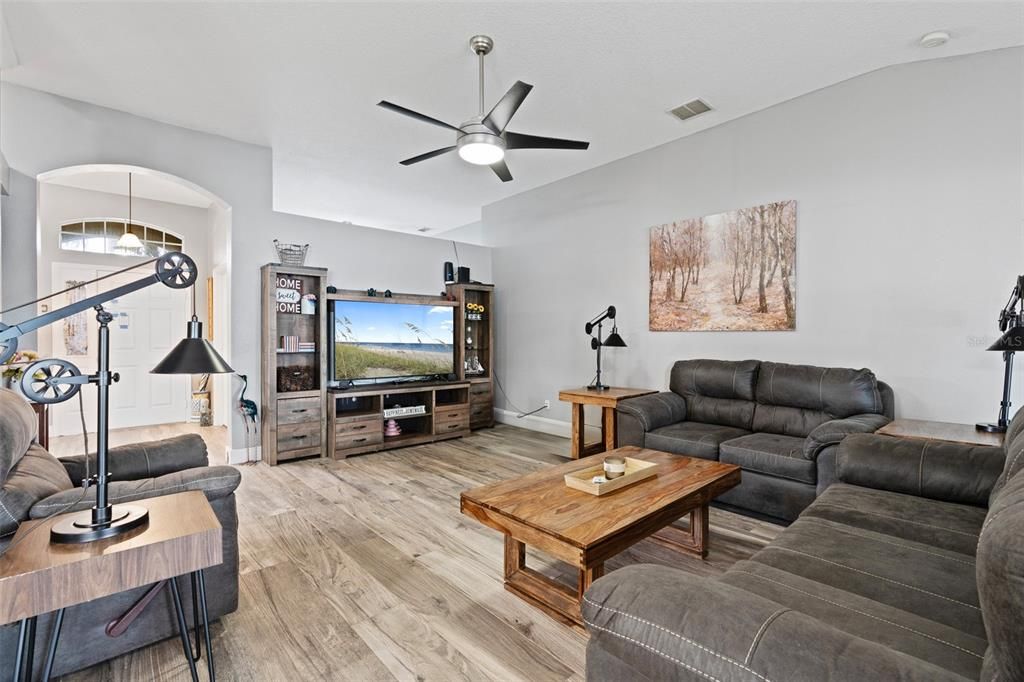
(485, 139)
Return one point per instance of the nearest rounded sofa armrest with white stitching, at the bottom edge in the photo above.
(669, 625)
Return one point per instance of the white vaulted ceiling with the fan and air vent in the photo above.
(304, 79)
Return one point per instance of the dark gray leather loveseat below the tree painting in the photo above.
(781, 423)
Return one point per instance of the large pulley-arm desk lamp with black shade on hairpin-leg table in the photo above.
(54, 380)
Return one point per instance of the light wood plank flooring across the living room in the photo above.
(364, 570)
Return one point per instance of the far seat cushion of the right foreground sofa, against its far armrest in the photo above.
(943, 525)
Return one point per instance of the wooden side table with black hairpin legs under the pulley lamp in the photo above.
(184, 537)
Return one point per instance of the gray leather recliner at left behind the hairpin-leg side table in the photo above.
(34, 485)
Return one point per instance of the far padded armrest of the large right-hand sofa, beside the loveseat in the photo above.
(936, 470)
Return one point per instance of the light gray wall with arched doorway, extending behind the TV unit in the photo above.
(44, 133)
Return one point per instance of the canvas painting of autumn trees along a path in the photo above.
(729, 272)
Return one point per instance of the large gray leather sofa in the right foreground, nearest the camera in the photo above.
(910, 568)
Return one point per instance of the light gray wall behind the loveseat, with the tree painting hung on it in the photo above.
(910, 225)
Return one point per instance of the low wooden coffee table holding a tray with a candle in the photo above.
(585, 530)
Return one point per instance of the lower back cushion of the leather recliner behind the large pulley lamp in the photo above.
(35, 477)
